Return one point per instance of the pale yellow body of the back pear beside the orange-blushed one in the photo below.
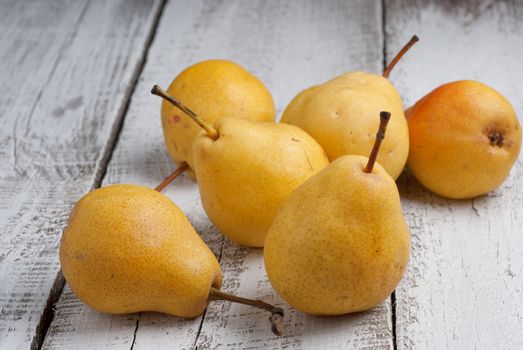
(339, 115)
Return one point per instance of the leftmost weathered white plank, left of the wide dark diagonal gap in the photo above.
(66, 74)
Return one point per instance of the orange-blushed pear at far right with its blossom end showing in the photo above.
(464, 137)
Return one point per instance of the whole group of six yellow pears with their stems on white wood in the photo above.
(316, 190)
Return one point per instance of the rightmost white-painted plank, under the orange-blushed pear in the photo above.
(464, 285)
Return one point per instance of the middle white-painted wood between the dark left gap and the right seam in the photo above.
(289, 45)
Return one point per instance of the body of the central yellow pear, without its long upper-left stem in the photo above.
(246, 174)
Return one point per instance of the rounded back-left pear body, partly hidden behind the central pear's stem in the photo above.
(212, 89)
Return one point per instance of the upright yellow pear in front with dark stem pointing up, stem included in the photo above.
(340, 243)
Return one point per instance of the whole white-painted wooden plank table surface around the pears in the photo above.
(76, 113)
